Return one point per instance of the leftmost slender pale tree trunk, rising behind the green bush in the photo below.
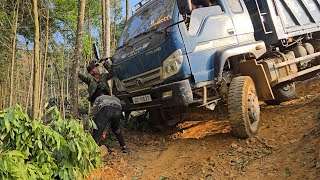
(14, 37)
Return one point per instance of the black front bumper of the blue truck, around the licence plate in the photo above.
(181, 96)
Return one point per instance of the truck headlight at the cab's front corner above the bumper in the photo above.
(172, 64)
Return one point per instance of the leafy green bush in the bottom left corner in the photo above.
(32, 150)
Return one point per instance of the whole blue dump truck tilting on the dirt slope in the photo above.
(175, 53)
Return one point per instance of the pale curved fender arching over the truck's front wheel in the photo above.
(257, 48)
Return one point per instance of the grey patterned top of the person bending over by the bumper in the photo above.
(102, 101)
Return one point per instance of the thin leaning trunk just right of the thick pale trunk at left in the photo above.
(44, 62)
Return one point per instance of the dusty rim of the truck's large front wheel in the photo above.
(253, 110)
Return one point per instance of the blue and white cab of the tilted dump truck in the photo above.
(162, 57)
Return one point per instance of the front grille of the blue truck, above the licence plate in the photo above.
(143, 80)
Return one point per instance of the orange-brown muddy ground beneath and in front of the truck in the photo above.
(287, 146)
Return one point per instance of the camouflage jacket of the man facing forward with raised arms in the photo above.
(93, 84)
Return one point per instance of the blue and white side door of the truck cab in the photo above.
(210, 28)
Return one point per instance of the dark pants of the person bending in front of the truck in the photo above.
(108, 115)
